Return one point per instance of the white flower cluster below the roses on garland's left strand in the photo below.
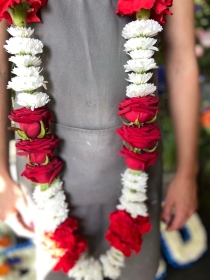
(52, 208)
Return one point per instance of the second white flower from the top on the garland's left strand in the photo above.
(17, 45)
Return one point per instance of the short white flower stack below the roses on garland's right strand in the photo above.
(134, 194)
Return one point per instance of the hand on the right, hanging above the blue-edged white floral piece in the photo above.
(180, 202)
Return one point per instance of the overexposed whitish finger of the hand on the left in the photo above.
(19, 228)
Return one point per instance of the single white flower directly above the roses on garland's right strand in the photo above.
(140, 90)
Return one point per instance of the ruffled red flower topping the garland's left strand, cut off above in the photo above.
(31, 16)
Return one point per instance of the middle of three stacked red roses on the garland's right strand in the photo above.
(143, 137)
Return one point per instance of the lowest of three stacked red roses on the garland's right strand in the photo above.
(138, 161)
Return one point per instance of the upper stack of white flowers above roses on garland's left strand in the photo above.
(27, 70)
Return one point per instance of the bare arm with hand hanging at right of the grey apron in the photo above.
(184, 95)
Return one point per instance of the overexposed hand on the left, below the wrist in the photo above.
(12, 204)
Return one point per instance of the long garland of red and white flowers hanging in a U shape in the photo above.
(139, 134)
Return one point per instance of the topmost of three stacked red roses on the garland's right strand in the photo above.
(141, 109)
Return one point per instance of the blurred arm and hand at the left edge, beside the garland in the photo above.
(10, 195)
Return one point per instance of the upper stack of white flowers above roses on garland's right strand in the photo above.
(140, 46)
